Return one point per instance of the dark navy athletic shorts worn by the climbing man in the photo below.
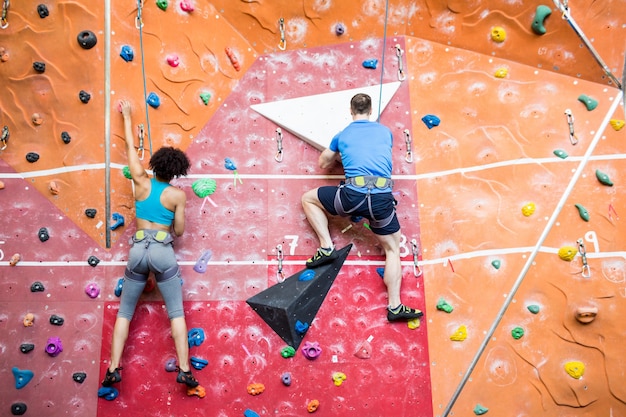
(383, 204)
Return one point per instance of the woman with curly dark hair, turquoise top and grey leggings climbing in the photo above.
(159, 208)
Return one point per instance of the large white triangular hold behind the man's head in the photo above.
(316, 119)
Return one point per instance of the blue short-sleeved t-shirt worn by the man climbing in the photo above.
(365, 149)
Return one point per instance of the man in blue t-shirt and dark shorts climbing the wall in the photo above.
(364, 148)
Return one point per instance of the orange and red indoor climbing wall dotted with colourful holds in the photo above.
(500, 193)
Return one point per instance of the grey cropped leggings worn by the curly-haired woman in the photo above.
(146, 255)
